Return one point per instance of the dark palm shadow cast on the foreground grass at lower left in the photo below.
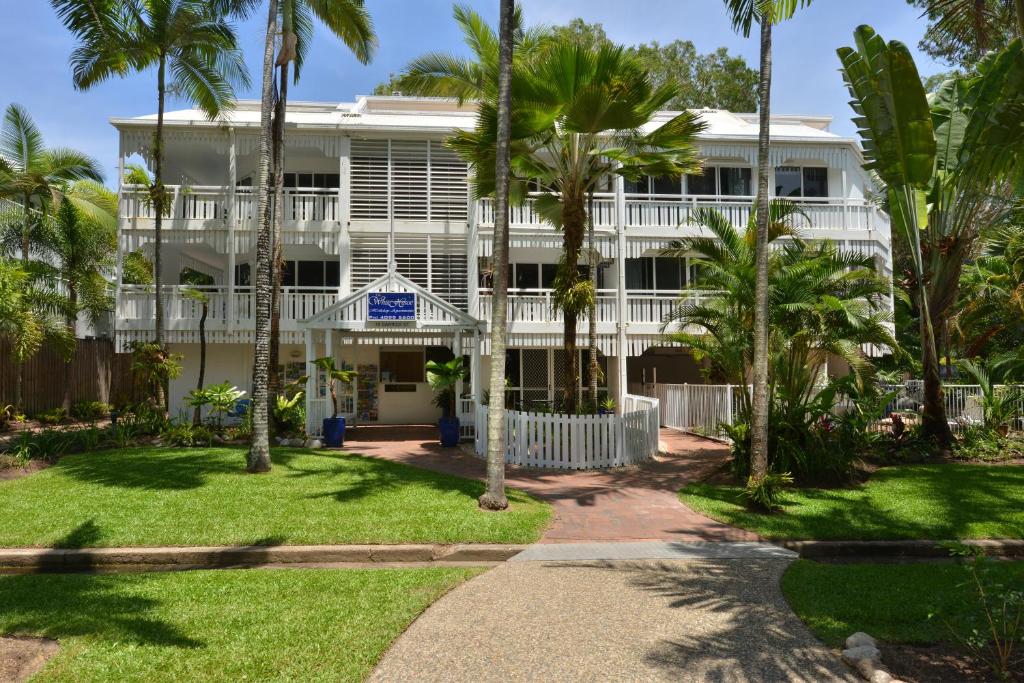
(104, 607)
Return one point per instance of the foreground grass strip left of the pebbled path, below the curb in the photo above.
(266, 625)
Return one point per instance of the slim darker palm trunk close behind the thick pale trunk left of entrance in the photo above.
(279, 224)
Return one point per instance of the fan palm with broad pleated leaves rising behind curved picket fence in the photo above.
(575, 127)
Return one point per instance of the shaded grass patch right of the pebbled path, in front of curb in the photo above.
(891, 603)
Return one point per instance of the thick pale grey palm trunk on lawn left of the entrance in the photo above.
(260, 449)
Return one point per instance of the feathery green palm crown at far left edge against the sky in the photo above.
(34, 176)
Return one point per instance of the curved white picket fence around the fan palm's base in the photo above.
(579, 442)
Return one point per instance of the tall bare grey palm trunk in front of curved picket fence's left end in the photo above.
(494, 498)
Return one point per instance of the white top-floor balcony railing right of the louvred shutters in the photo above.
(675, 211)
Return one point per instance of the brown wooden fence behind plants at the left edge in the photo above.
(97, 374)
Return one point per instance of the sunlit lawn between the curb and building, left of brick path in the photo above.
(192, 497)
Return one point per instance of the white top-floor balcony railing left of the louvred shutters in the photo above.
(204, 204)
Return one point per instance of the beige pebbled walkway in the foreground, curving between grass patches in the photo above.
(625, 621)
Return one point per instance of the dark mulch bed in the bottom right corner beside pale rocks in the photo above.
(936, 664)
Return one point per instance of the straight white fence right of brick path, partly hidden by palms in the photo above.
(703, 409)
